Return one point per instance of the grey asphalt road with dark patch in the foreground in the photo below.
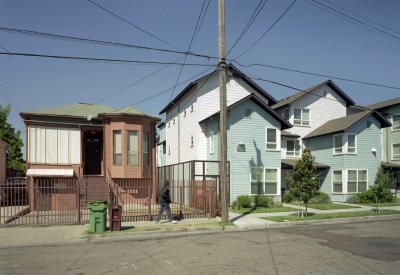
(360, 248)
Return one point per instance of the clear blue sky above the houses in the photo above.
(361, 46)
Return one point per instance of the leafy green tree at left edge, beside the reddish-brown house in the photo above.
(12, 137)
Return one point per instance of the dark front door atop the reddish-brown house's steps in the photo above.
(93, 157)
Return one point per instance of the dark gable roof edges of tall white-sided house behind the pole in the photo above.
(237, 73)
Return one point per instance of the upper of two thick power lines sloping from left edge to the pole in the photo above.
(92, 41)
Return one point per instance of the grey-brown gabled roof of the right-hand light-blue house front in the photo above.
(342, 124)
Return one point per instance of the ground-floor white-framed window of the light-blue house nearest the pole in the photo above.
(264, 181)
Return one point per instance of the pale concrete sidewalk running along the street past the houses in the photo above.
(47, 235)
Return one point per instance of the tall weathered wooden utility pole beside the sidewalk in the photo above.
(222, 104)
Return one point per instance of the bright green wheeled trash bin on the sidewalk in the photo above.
(97, 216)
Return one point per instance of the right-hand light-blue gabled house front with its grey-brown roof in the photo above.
(351, 147)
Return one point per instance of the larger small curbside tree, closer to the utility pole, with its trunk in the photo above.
(304, 180)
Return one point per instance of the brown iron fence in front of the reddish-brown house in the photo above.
(61, 201)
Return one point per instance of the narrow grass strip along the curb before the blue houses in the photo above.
(292, 218)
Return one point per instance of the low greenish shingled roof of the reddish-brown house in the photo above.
(71, 110)
